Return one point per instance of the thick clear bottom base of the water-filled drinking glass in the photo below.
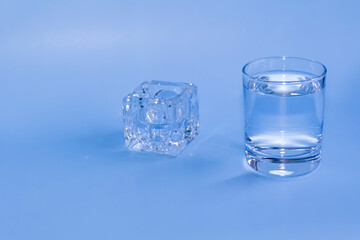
(283, 167)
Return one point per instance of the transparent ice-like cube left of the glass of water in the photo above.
(161, 117)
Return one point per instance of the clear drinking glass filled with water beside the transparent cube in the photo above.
(284, 112)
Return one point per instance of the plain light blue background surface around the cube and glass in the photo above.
(65, 67)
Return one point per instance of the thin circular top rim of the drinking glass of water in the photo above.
(316, 77)
